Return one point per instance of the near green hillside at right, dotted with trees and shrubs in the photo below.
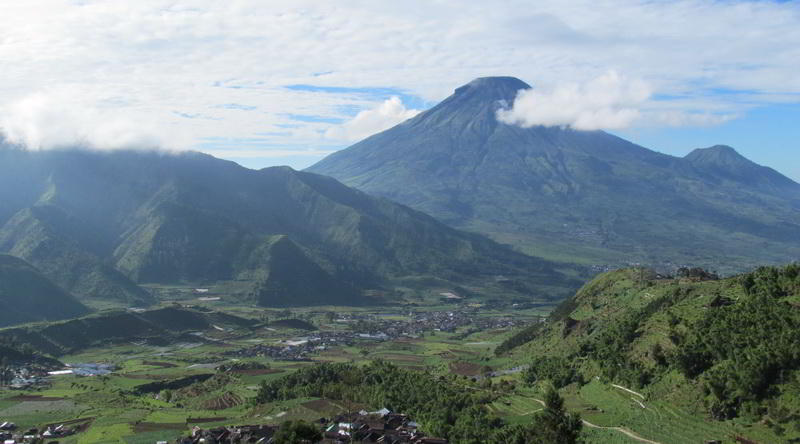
(725, 350)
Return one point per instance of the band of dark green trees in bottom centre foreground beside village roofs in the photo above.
(440, 404)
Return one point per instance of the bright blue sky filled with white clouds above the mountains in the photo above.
(288, 82)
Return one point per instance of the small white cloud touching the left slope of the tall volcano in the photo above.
(372, 121)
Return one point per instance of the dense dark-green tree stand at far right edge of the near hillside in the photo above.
(744, 351)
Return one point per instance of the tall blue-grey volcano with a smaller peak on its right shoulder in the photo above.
(584, 196)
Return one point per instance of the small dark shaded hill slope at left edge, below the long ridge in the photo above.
(27, 296)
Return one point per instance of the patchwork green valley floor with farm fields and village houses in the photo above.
(141, 402)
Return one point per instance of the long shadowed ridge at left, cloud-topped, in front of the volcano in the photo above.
(100, 224)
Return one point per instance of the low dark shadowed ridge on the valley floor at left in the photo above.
(159, 325)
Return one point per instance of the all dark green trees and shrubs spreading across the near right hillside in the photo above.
(743, 352)
